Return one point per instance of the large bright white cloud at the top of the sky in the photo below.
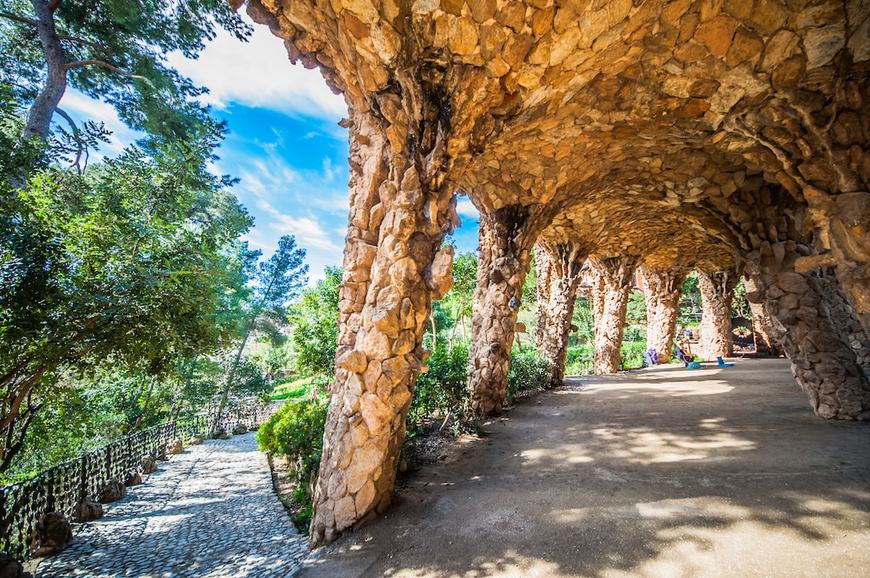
(258, 73)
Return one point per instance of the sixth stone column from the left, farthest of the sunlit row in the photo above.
(717, 292)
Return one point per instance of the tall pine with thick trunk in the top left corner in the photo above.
(113, 50)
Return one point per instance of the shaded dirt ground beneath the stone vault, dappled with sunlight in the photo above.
(661, 472)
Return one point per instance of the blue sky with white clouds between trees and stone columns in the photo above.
(284, 144)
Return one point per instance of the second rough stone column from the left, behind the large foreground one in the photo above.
(506, 239)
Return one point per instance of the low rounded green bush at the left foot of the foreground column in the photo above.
(296, 432)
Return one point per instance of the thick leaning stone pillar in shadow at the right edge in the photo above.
(802, 306)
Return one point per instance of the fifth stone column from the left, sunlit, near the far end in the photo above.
(663, 291)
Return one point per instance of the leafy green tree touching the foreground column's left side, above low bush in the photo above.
(315, 324)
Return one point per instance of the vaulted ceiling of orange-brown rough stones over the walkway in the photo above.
(567, 102)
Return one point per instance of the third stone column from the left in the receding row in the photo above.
(556, 306)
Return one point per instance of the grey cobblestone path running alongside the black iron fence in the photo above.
(207, 512)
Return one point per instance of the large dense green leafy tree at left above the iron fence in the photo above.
(127, 261)
